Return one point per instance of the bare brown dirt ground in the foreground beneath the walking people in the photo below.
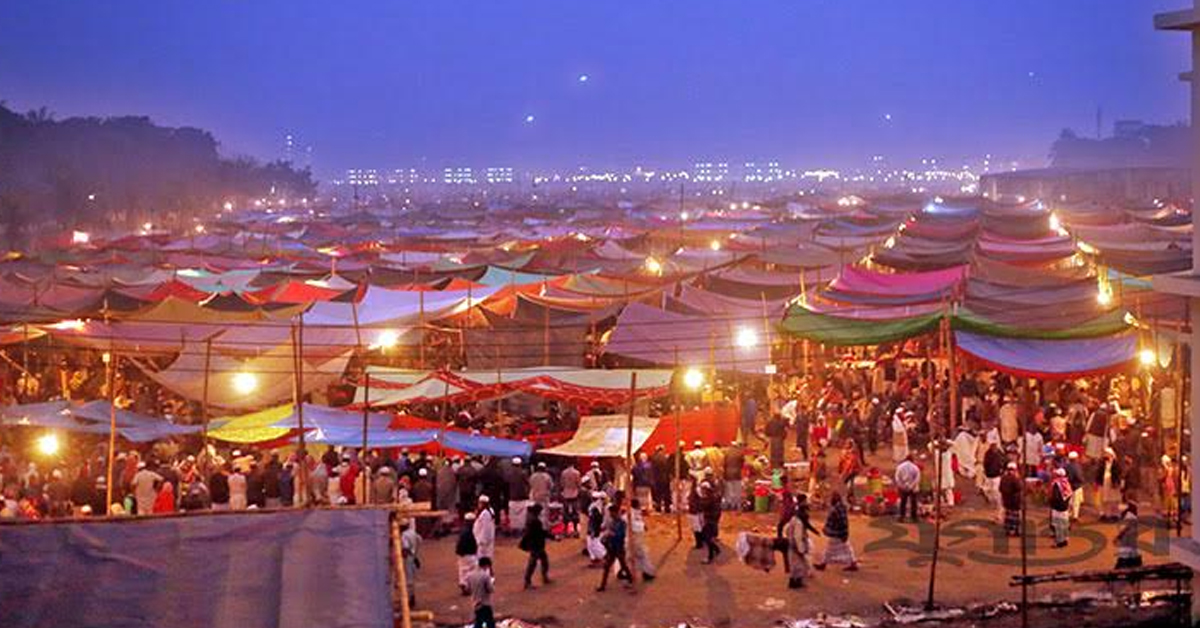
(975, 566)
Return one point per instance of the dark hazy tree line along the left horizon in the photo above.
(82, 172)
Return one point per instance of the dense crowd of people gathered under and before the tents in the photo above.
(879, 441)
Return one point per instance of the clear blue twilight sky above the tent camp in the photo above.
(410, 83)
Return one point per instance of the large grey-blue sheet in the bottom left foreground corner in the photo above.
(290, 570)
